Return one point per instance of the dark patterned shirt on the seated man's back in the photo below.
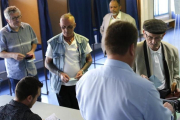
(17, 111)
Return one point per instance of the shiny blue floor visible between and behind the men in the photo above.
(99, 60)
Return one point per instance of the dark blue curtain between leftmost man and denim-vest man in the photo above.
(45, 23)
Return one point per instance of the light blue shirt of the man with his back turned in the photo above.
(115, 92)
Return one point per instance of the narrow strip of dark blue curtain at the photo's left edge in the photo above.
(4, 5)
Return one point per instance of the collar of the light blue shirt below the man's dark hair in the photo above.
(117, 63)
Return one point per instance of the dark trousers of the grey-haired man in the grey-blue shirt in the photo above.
(14, 83)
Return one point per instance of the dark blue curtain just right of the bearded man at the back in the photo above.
(131, 9)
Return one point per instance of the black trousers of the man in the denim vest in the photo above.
(67, 97)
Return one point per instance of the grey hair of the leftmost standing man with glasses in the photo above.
(9, 10)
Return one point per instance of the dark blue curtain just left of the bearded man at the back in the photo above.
(101, 8)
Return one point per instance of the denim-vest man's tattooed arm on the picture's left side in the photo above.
(52, 68)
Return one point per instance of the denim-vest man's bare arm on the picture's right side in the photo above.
(85, 67)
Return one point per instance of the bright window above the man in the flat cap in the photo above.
(161, 7)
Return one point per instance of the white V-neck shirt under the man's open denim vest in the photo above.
(71, 64)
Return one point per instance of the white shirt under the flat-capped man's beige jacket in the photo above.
(158, 67)
